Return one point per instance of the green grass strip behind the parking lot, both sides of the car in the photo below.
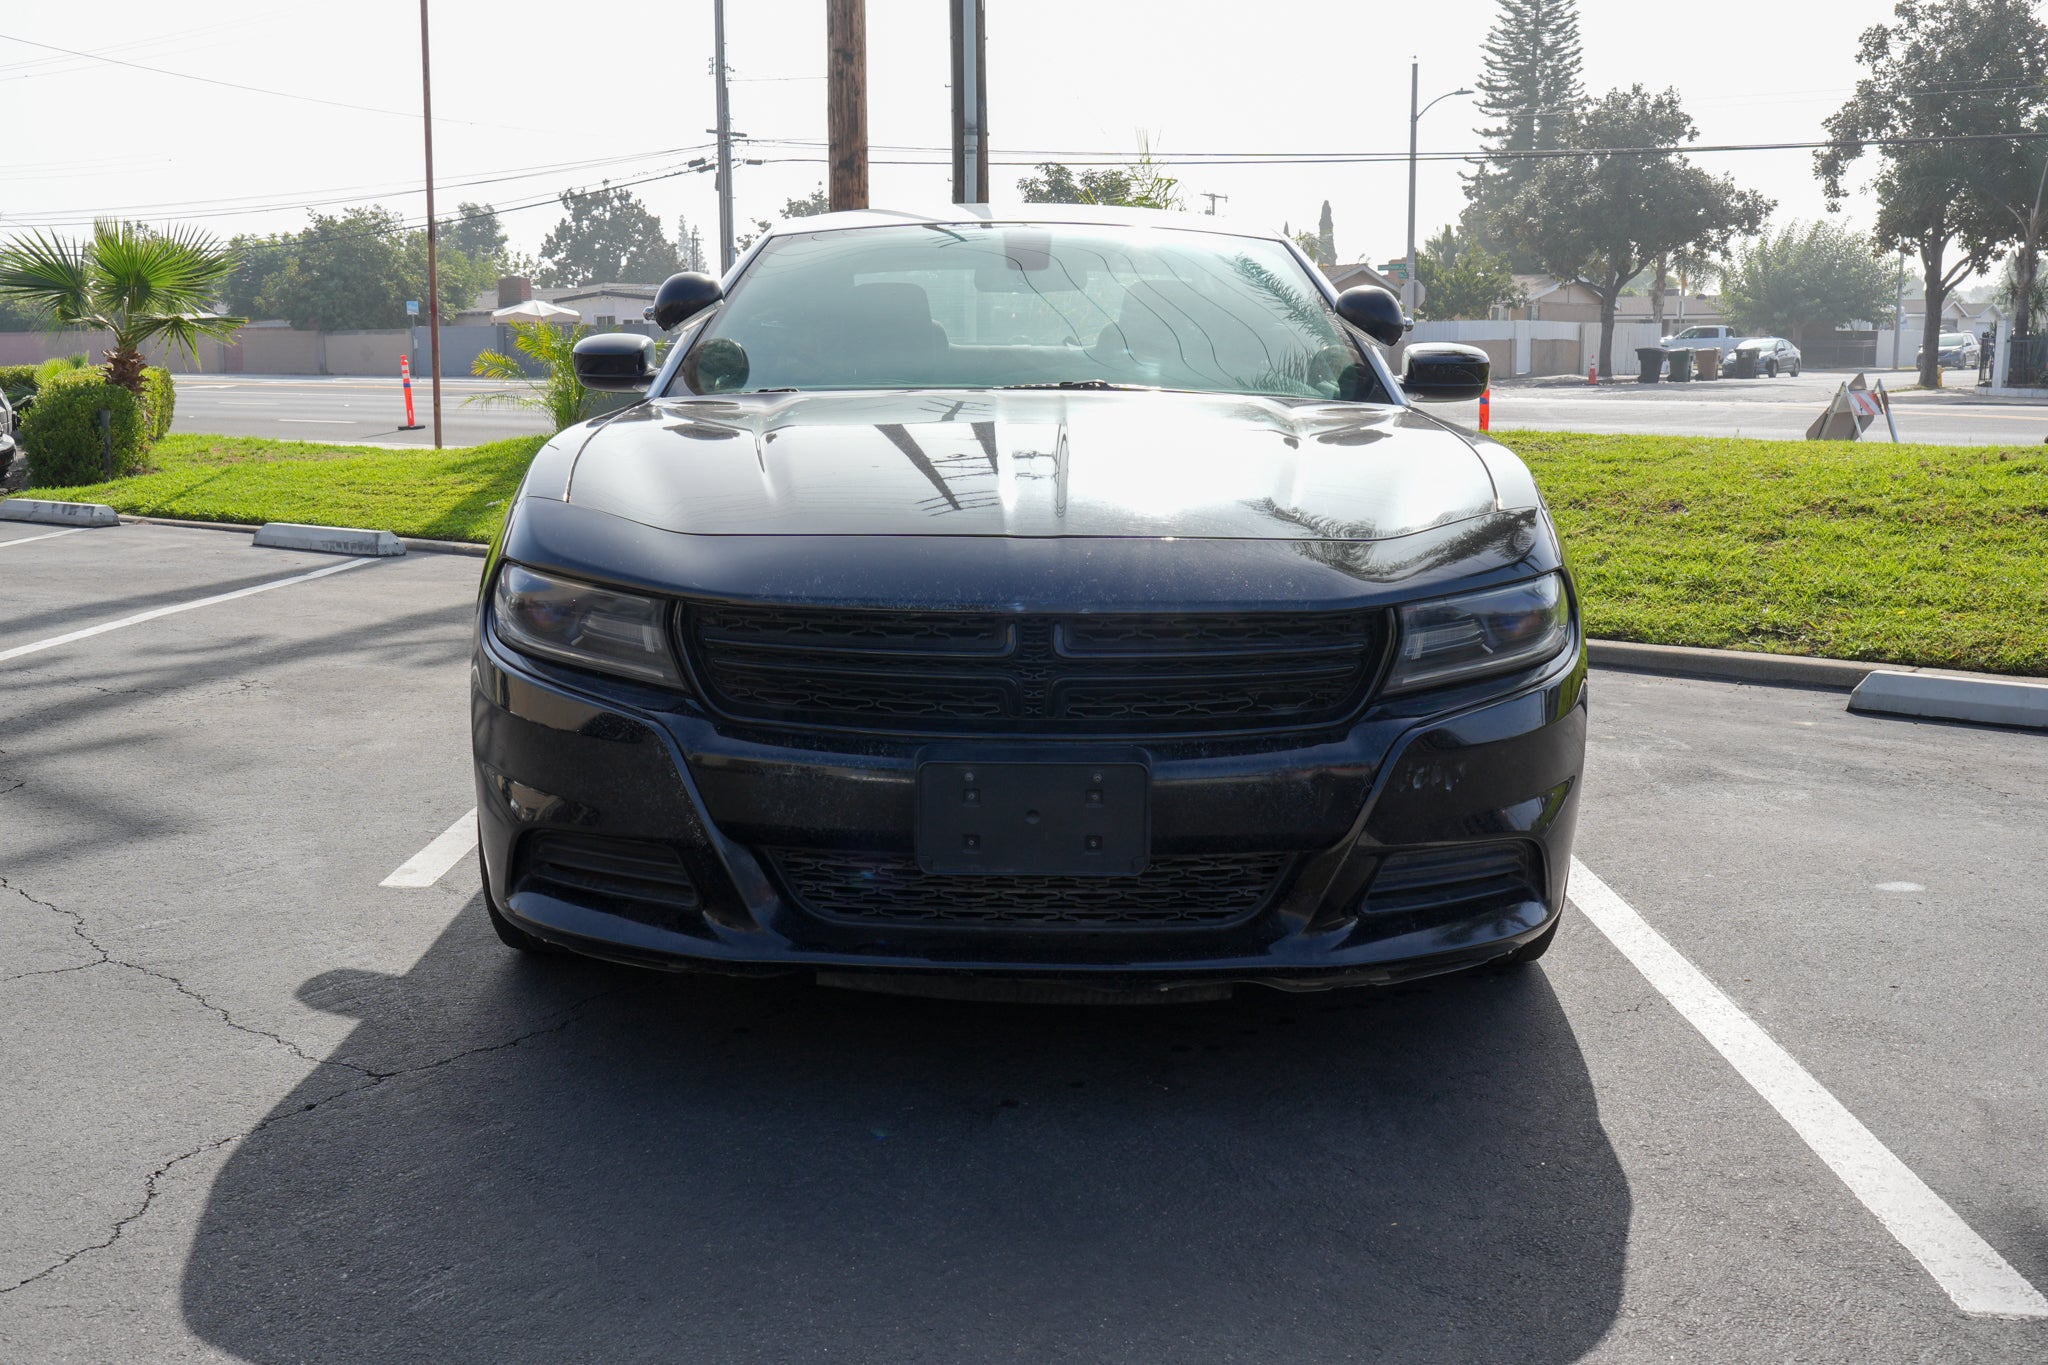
(1932, 556)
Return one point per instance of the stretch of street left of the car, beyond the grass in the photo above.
(345, 410)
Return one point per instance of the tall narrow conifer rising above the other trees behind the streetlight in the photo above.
(1531, 91)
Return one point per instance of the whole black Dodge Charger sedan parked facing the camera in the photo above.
(1043, 605)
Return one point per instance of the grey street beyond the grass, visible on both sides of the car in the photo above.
(372, 410)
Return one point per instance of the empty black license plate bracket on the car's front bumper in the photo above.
(1033, 818)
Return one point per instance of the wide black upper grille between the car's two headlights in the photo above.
(1072, 674)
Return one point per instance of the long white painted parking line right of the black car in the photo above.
(1975, 1276)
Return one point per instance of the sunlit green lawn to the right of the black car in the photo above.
(1930, 556)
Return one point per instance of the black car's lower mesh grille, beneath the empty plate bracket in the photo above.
(1175, 893)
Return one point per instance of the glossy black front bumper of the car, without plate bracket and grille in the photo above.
(568, 756)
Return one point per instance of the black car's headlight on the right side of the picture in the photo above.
(1496, 631)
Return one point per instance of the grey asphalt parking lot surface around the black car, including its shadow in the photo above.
(263, 1106)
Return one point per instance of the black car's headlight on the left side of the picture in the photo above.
(583, 625)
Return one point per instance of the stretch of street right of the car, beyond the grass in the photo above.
(1779, 408)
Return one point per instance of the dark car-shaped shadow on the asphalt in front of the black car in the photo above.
(718, 1172)
